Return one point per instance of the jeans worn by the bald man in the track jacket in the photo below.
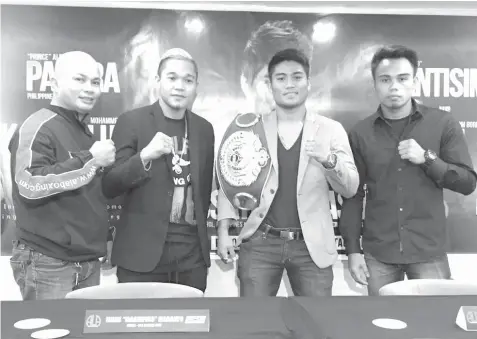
(42, 277)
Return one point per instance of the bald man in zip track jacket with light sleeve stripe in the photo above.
(62, 222)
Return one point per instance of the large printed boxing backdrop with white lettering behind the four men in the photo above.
(231, 49)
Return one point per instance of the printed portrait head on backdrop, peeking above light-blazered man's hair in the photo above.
(270, 38)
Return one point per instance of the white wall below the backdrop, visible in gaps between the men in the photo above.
(222, 281)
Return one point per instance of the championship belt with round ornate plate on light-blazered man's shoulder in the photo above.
(243, 162)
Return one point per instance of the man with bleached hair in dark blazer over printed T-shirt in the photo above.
(164, 169)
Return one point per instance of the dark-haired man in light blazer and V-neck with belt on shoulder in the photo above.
(290, 227)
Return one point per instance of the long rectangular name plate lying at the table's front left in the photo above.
(120, 321)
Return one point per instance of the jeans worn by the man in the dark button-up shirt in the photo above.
(382, 273)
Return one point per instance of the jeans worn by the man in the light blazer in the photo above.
(262, 259)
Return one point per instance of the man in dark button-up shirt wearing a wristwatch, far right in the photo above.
(406, 154)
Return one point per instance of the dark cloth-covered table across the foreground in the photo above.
(337, 317)
